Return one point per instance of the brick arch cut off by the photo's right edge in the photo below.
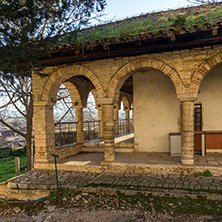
(203, 70)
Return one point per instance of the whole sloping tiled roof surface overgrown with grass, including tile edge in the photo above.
(147, 26)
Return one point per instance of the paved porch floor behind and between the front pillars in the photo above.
(211, 159)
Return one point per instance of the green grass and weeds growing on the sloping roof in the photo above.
(151, 23)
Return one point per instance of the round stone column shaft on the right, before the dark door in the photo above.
(187, 132)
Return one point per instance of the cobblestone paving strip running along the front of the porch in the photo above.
(45, 179)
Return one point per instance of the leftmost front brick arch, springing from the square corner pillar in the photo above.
(61, 74)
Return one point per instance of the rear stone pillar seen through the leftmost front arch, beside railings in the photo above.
(79, 129)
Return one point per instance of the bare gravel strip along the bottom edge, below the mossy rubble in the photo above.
(74, 214)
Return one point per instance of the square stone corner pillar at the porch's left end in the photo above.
(44, 131)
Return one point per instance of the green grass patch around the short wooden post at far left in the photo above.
(7, 164)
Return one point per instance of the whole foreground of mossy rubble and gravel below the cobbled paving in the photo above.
(67, 205)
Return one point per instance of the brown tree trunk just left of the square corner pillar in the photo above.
(29, 127)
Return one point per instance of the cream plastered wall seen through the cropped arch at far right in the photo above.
(210, 96)
